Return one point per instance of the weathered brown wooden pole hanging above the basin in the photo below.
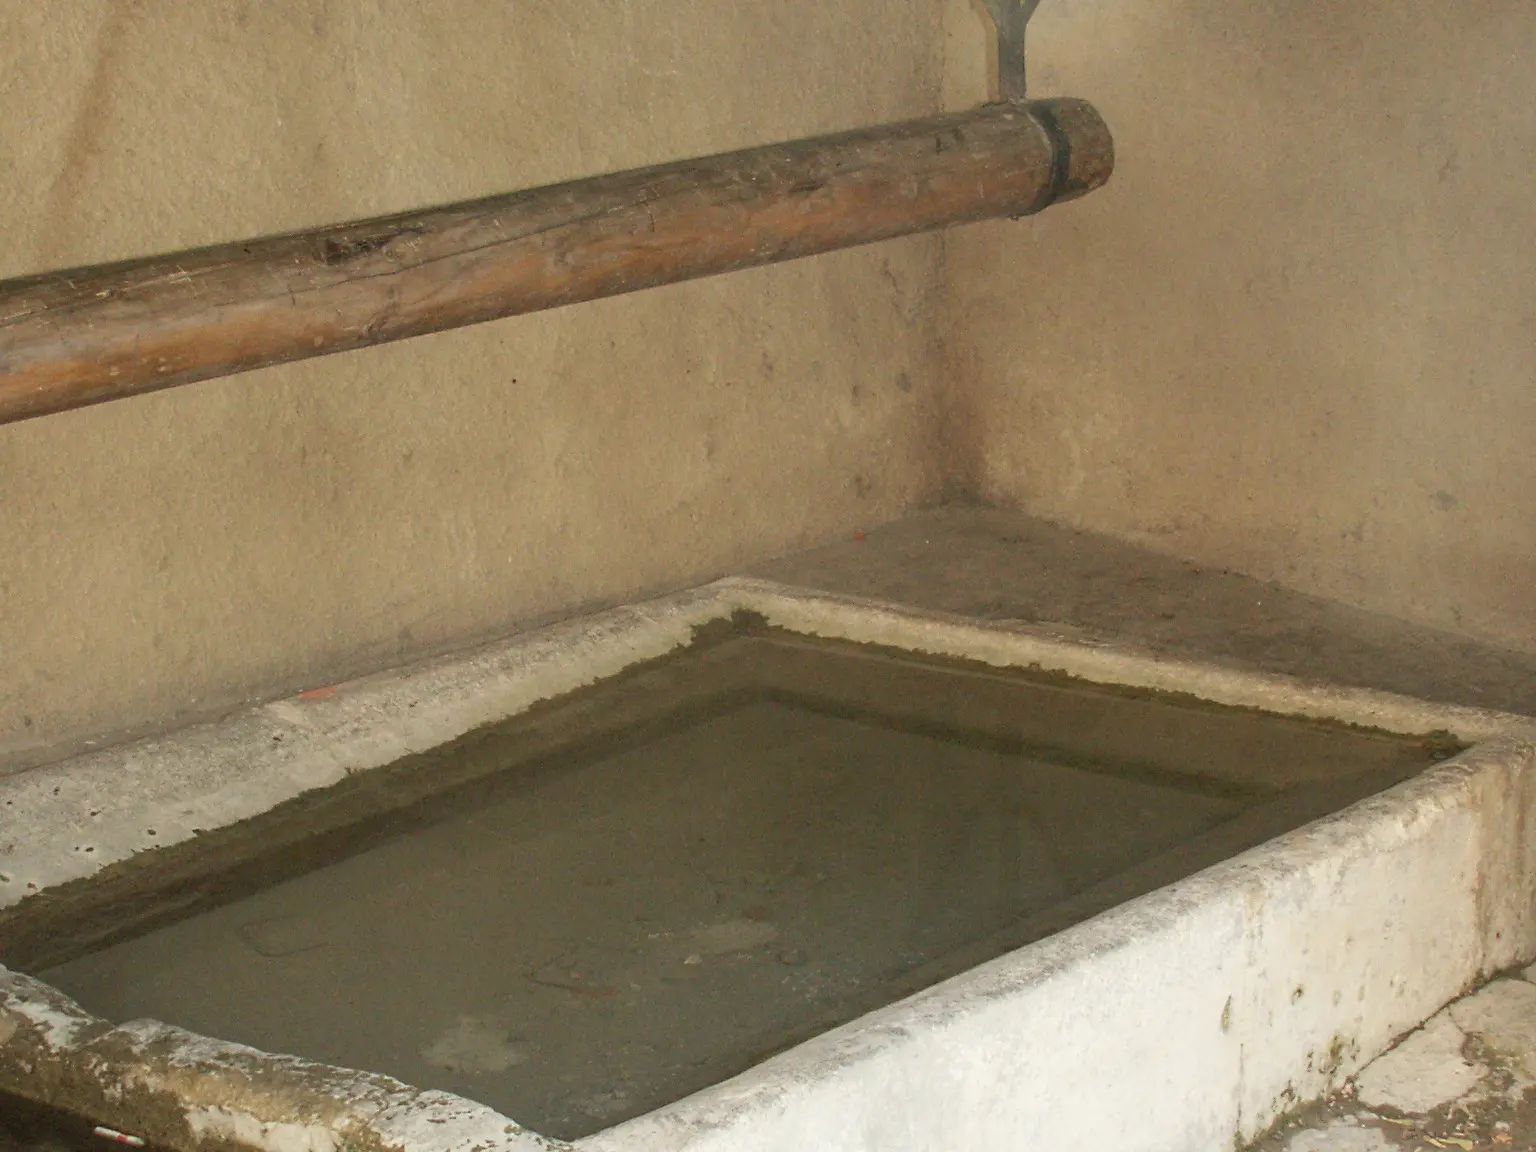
(88, 336)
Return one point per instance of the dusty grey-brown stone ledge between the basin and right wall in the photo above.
(1002, 566)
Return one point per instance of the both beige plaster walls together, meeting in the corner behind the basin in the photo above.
(1296, 336)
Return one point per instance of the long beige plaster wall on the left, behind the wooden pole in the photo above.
(170, 555)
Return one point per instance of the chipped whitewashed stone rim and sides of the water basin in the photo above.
(1185, 1019)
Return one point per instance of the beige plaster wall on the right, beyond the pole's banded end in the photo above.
(1297, 333)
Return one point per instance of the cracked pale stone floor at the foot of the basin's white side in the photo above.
(1466, 1081)
